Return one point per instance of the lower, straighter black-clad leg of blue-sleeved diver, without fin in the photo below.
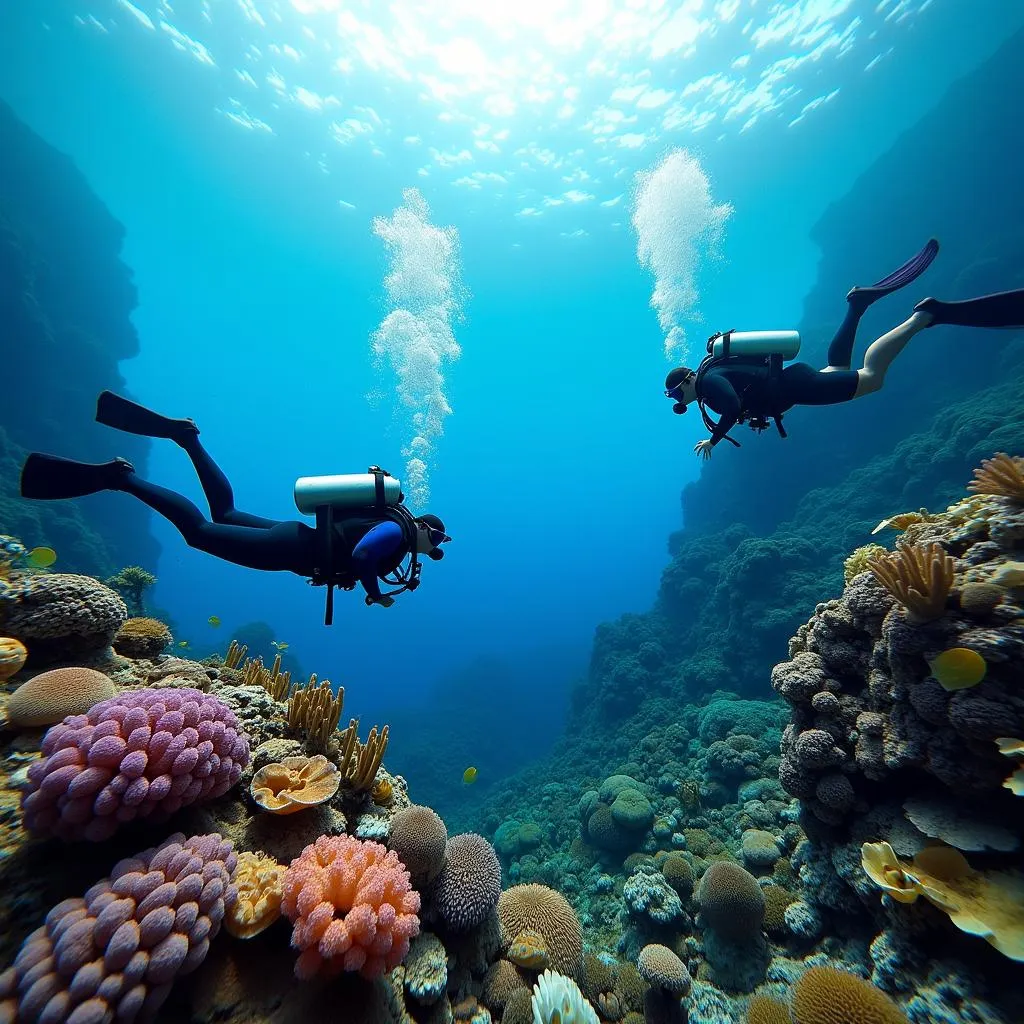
(281, 547)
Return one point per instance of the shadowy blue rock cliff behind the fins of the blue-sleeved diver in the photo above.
(66, 304)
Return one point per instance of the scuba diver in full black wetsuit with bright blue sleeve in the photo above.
(364, 533)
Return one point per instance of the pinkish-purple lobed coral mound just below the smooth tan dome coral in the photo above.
(143, 754)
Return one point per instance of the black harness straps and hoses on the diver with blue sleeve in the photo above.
(403, 578)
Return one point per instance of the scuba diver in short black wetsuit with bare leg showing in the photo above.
(743, 378)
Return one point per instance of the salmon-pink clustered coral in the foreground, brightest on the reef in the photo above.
(353, 907)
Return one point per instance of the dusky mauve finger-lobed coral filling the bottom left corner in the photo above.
(115, 953)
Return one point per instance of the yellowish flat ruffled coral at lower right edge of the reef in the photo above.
(989, 905)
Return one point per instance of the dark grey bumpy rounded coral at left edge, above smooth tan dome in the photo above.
(57, 615)
